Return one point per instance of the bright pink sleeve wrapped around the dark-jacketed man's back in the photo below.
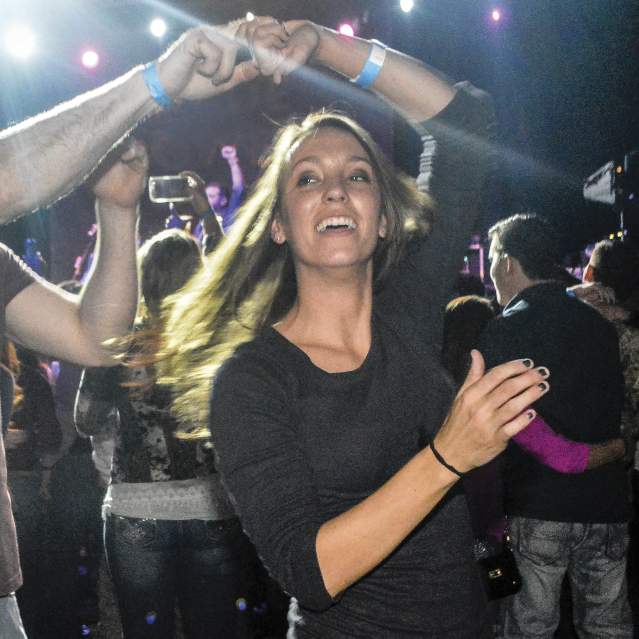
(553, 450)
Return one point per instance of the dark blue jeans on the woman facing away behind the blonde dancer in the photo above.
(198, 565)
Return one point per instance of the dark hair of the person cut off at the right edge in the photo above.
(616, 264)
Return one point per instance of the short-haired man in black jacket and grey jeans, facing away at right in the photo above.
(574, 524)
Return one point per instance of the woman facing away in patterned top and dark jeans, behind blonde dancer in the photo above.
(171, 535)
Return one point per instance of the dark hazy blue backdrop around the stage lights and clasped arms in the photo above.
(563, 74)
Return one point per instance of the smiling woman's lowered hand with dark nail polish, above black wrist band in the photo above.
(489, 409)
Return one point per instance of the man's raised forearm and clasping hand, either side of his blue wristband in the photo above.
(46, 156)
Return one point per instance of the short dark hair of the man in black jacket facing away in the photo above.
(532, 241)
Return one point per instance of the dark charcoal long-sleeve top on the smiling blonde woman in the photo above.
(298, 446)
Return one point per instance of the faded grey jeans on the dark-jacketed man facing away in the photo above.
(594, 558)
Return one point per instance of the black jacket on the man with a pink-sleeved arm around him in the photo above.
(584, 403)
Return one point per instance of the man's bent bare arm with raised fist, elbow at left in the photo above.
(77, 328)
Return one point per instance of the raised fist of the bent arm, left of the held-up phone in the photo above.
(122, 179)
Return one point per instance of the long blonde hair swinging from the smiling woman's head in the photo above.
(248, 282)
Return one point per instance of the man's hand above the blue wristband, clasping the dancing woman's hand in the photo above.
(202, 63)
